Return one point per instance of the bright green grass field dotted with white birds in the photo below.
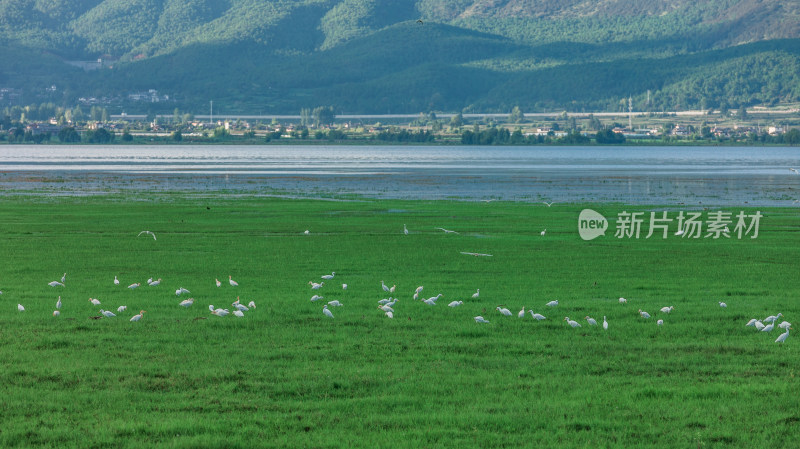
(285, 375)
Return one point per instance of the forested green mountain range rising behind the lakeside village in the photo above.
(400, 56)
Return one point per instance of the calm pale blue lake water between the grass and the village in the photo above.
(651, 175)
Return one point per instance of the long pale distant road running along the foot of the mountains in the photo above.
(384, 117)
